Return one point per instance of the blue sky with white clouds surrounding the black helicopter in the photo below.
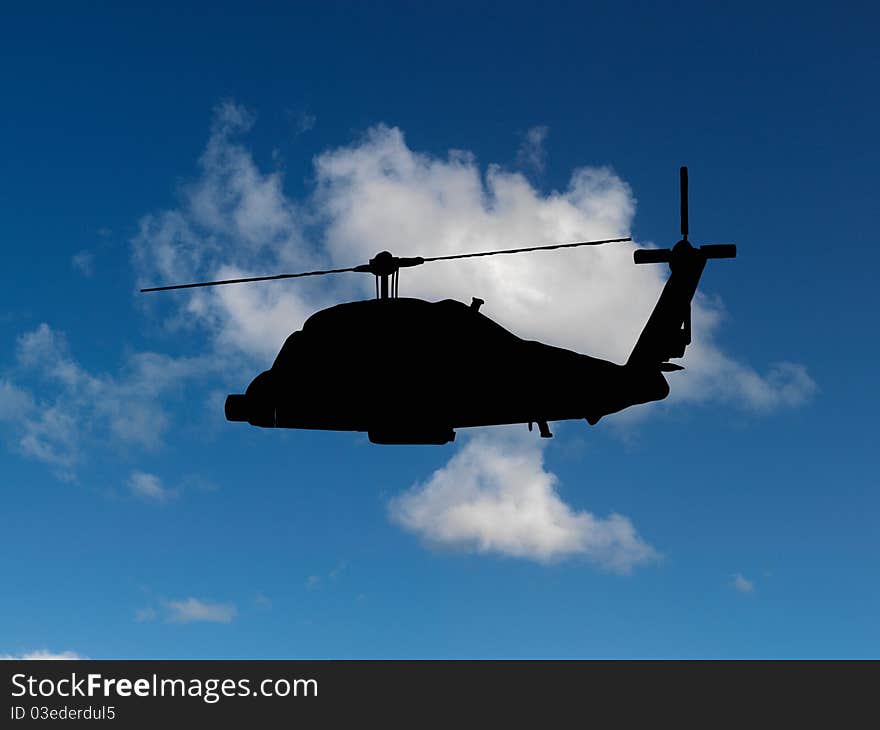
(169, 142)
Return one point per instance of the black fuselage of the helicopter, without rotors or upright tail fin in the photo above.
(411, 371)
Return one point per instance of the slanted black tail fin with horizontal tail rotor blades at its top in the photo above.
(668, 330)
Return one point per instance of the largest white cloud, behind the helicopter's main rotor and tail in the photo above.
(378, 194)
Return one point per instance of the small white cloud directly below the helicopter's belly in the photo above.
(497, 497)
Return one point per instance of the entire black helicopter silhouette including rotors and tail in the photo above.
(409, 371)
